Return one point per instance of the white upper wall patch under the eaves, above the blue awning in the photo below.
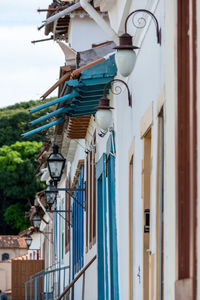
(83, 32)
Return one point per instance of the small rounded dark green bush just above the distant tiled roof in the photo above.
(14, 216)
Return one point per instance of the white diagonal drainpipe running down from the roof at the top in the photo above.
(99, 20)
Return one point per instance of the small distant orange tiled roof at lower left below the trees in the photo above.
(12, 241)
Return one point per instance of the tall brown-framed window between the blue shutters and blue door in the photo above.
(91, 197)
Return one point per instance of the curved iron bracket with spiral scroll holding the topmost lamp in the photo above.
(141, 22)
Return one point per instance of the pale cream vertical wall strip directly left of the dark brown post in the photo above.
(170, 99)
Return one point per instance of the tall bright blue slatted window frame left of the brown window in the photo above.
(78, 225)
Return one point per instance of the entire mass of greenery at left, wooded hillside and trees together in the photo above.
(18, 183)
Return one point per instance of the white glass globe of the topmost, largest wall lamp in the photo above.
(125, 61)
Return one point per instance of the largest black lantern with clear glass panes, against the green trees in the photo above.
(55, 164)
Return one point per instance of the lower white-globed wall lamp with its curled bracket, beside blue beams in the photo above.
(103, 116)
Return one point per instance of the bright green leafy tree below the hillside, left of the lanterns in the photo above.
(18, 183)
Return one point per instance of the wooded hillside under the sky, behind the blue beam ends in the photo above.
(14, 120)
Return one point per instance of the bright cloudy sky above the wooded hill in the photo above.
(26, 70)
